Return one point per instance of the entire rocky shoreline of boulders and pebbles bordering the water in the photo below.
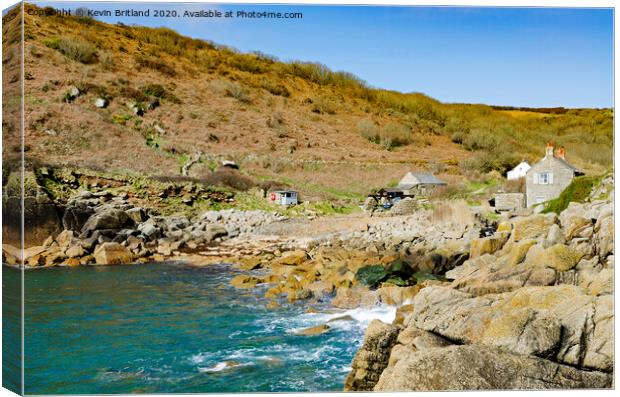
(528, 307)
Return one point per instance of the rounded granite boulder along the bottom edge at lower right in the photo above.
(483, 368)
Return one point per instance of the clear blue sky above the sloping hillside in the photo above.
(503, 56)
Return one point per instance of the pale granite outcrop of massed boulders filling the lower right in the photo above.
(531, 309)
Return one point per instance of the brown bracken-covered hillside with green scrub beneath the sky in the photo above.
(326, 133)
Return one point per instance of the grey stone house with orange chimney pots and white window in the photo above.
(549, 177)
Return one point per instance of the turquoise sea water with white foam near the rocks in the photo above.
(160, 328)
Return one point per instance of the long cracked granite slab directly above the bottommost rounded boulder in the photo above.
(559, 322)
